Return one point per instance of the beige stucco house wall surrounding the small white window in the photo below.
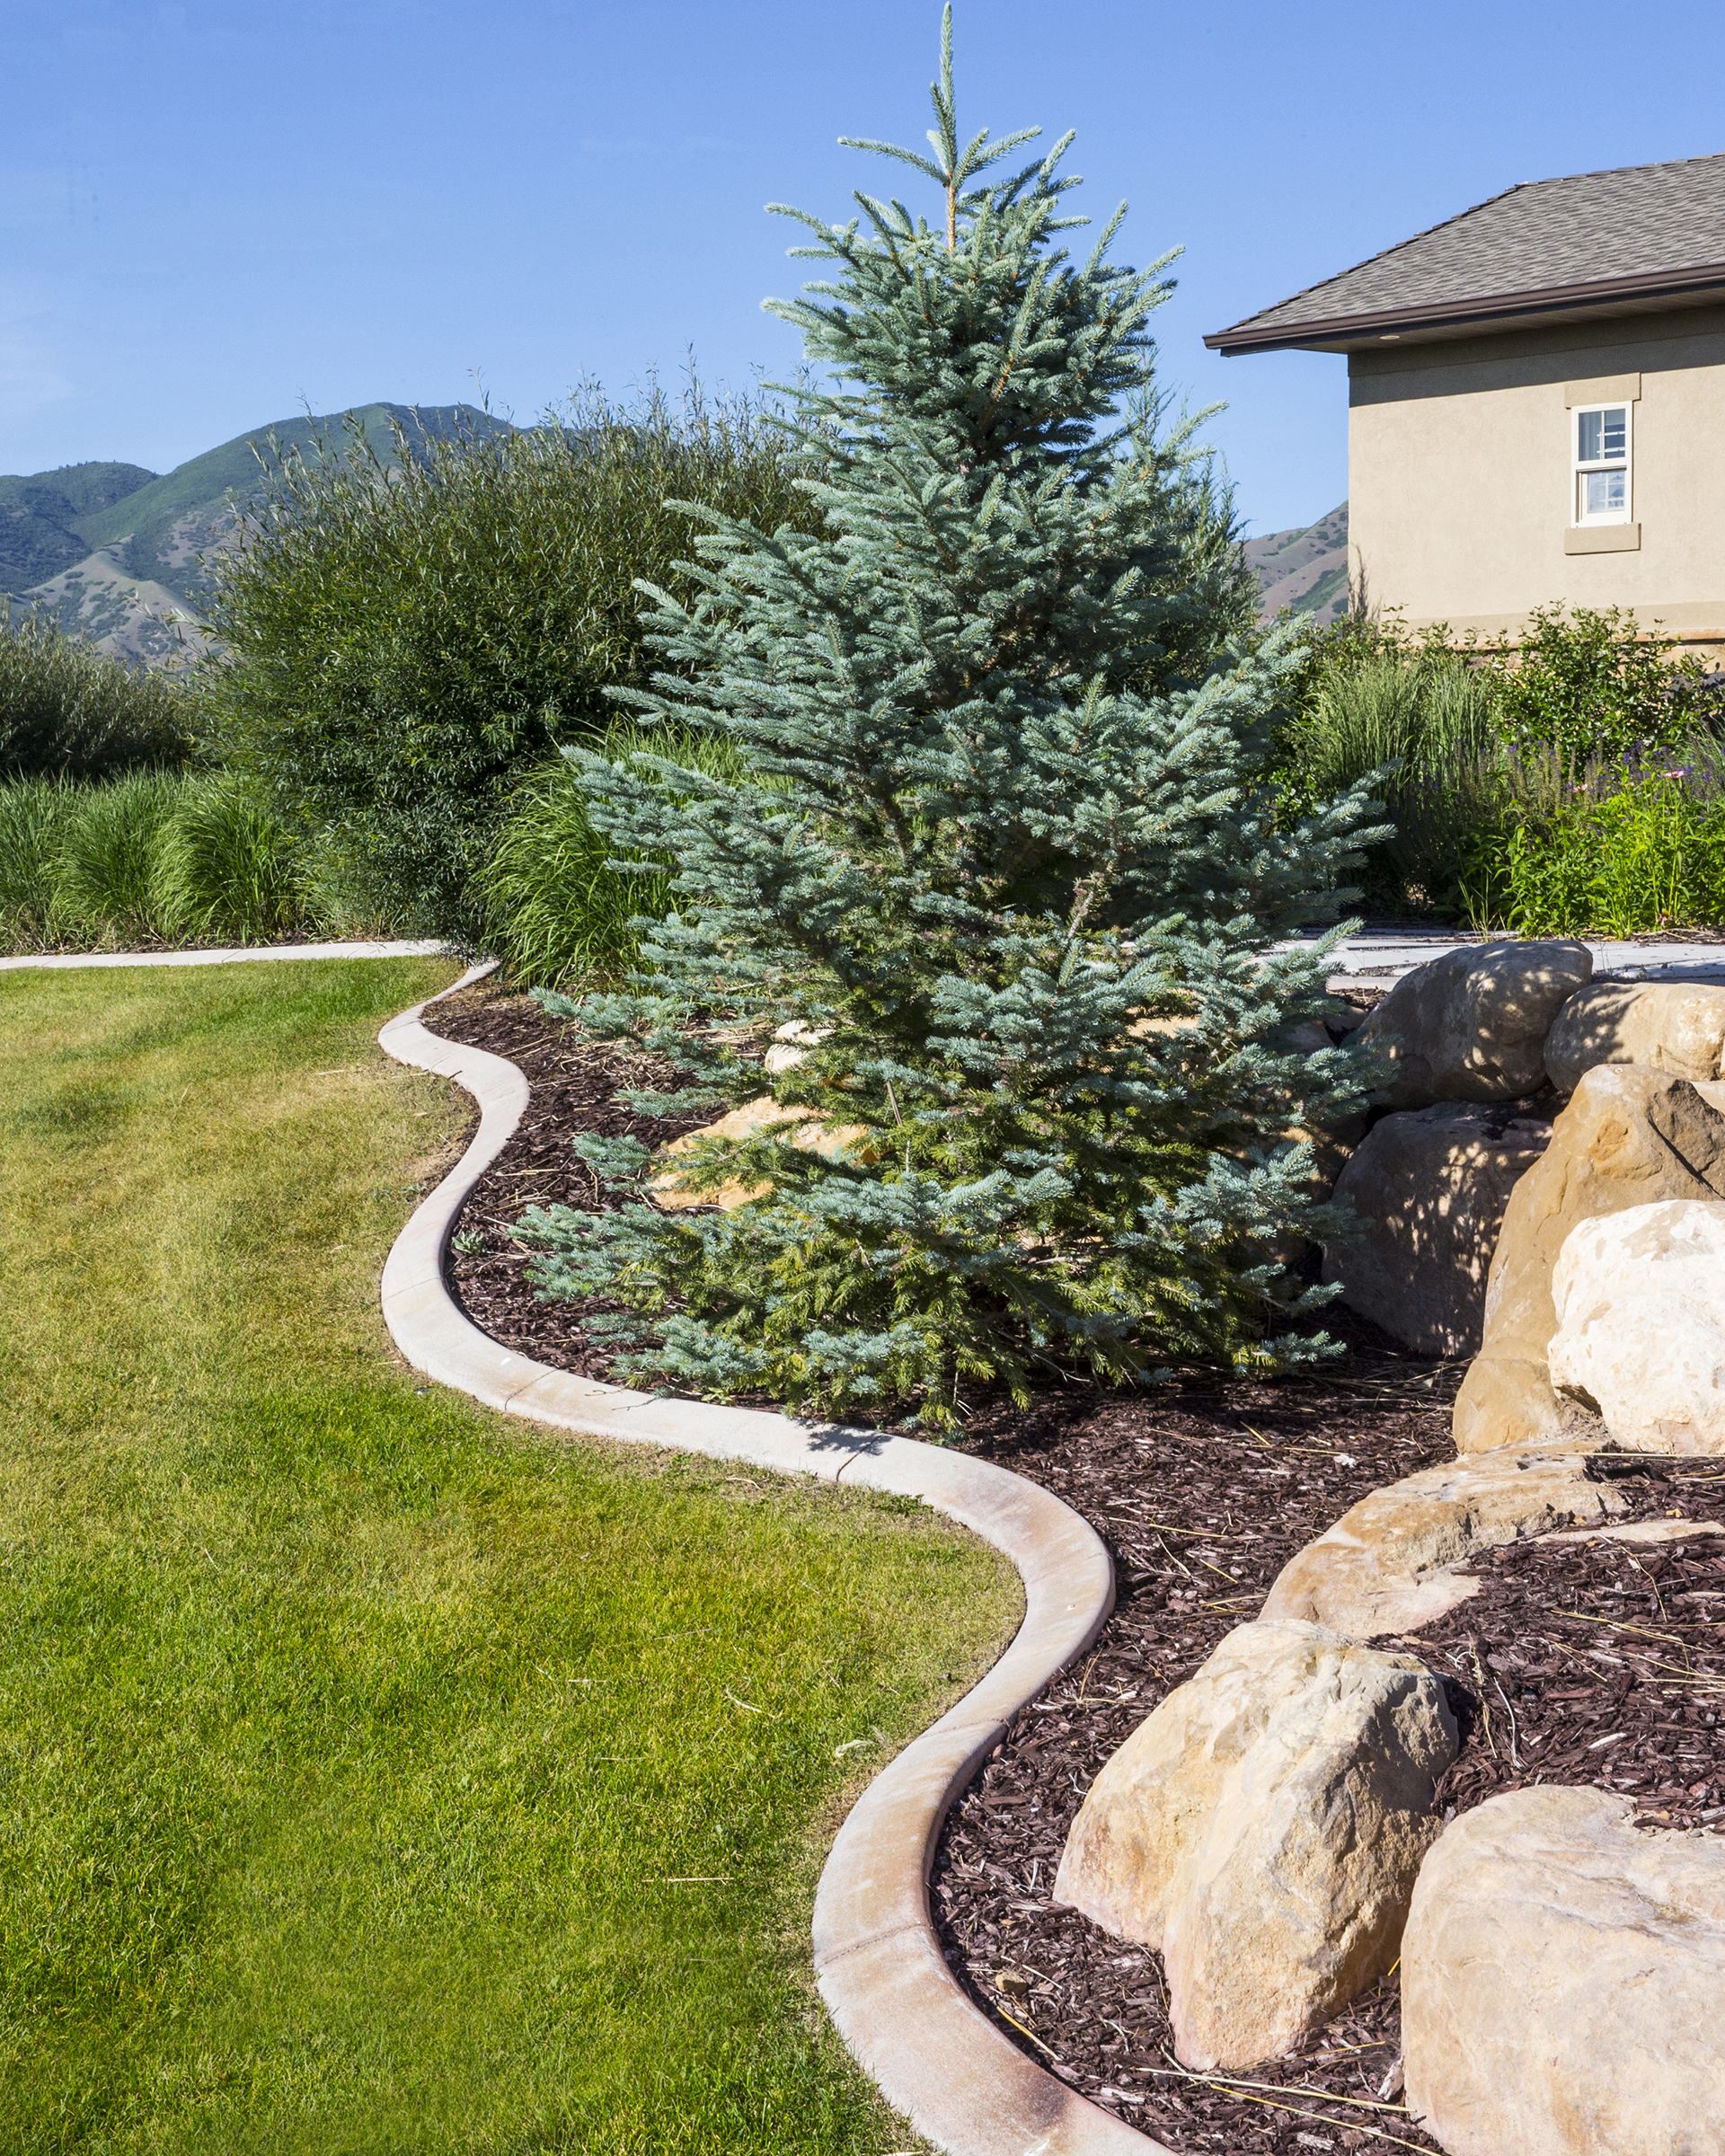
(1459, 488)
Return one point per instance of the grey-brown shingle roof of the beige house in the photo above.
(1644, 223)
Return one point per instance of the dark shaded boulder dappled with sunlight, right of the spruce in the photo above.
(1433, 1187)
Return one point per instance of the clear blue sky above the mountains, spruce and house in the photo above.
(219, 212)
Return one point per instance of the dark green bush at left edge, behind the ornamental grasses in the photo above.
(72, 710)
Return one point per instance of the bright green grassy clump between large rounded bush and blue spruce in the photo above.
(557, 902)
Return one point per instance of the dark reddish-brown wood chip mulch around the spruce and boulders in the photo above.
(1579, 1663)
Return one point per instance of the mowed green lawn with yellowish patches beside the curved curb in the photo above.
(376, 1773)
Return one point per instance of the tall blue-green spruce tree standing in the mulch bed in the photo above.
(1004, 868)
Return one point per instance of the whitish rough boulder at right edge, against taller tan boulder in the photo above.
(1642, 1325)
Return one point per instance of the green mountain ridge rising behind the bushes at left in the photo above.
(113, 551)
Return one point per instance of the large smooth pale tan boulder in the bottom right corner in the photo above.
(1562, 1980)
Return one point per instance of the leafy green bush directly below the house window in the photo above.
(1592, 685)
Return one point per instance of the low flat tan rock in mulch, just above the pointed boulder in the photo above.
(1392, 1564)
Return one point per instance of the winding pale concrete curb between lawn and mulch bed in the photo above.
(879, 1959)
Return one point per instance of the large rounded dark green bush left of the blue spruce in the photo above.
(402, 646)
